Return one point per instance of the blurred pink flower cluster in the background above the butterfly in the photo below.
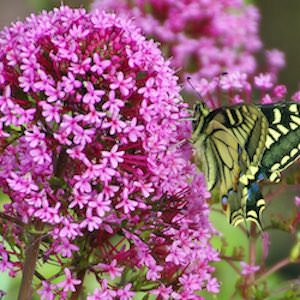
(203, 38)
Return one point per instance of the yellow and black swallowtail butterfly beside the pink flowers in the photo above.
(238, 146)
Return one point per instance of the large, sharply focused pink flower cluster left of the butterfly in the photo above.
(90, 116)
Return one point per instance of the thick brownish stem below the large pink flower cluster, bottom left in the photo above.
(31, 256)
